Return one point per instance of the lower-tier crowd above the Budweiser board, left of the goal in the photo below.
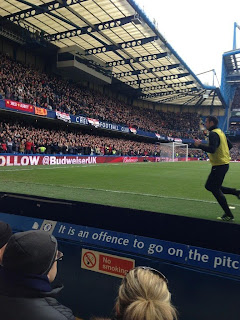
(19, 138)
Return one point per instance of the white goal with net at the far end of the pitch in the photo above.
(173, 151)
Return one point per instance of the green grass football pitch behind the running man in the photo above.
(174, 188)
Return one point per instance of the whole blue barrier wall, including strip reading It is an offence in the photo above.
(199, 290)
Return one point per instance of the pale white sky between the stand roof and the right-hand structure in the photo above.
(199, 31)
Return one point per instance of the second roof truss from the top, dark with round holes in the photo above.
(88, 29)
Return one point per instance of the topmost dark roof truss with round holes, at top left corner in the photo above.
(36, 10)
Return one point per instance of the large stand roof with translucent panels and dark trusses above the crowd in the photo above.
(120, 35)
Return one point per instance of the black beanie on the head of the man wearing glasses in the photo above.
(32, 251)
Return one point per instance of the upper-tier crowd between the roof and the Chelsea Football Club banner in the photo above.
(51, 92)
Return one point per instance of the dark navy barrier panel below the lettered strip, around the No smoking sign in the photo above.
(196, 294)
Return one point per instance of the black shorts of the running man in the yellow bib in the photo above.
(216, 177)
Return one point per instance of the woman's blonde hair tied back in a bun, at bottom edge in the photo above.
(144, 295)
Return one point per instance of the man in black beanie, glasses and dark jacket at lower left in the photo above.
(29, 265)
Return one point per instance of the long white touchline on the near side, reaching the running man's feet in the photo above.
(125, 192)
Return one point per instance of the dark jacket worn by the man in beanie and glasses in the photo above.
(29, 297)
